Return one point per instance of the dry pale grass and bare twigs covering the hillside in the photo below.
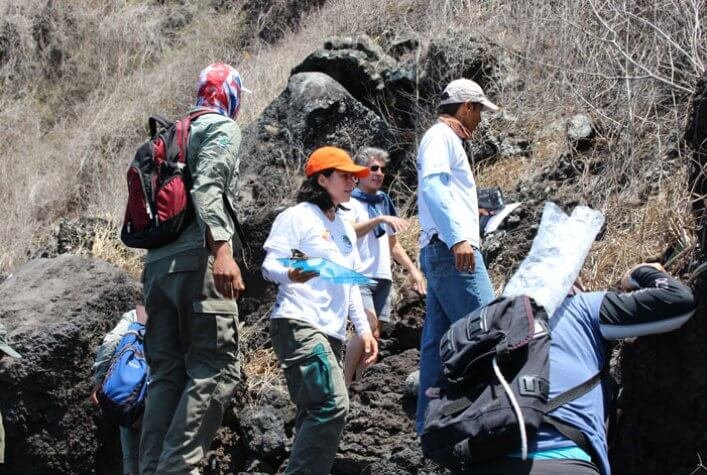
(78, 79)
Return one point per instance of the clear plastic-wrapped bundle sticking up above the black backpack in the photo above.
(557, 255)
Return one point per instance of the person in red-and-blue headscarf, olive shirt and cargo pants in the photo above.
(190, 287)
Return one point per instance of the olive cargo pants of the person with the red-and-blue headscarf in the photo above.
(191, 345)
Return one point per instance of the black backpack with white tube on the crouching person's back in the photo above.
(503, 344)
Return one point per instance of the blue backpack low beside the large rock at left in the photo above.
(121, 397)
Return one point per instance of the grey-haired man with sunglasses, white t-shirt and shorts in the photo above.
(376, 223)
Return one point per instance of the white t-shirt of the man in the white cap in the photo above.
(441, 151)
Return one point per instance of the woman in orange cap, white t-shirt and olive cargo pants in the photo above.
(308, 323)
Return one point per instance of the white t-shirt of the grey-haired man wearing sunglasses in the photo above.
(374, 251)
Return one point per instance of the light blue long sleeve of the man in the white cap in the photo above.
(438, 196)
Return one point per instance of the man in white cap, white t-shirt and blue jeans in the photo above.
(457, 281)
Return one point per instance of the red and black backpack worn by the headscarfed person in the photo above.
(159, 204)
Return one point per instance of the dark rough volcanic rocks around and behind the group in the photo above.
(351, 92)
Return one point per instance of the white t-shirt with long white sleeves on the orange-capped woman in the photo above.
(317, 301)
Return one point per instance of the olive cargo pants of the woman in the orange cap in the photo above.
(315, 380)
